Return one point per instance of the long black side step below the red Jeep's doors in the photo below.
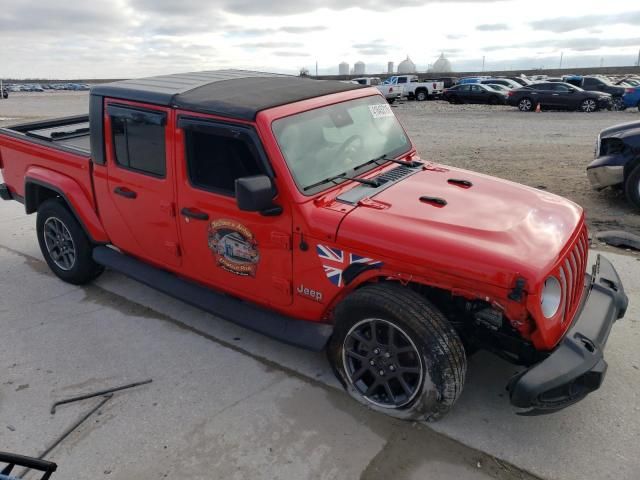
(305, 334)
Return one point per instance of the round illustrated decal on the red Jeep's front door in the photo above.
(234, 247)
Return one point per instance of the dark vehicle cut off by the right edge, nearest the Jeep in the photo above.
(617, 160)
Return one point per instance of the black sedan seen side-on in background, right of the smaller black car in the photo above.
(556, 95)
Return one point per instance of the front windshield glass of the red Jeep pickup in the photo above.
(339, 139)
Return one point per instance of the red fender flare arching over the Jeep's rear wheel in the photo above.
(73, 195)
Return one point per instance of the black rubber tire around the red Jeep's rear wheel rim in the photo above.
(83, 269)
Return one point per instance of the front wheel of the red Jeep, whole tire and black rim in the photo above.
(395, 352)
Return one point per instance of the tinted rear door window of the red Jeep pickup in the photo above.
(138, 140)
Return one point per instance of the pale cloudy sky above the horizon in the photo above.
(128, 38)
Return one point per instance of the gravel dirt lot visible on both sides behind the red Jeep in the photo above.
(548, 150)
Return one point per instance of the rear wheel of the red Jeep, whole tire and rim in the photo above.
(64, 244)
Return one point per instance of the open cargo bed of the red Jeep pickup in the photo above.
(69, 133)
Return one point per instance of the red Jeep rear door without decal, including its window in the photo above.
(140, 215)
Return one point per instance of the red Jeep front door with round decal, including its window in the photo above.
(243, 253)
